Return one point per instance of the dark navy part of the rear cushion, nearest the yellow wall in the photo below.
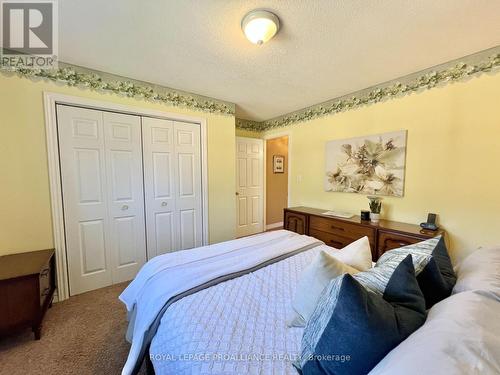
(437, 279)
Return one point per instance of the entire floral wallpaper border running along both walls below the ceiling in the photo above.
(86, 78)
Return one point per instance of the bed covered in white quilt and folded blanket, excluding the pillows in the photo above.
(220, 309)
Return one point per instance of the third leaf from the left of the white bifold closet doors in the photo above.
(159, 178)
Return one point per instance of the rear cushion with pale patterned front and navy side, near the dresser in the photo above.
(433, 267)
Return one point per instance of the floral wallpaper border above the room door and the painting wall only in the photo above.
(457, 72)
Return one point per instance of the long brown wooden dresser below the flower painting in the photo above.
(338, 232)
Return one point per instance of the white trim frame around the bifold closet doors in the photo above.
(51, 100)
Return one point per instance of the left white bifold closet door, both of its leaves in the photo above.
(102, 184)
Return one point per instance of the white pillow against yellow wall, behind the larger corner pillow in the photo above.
(480, 271)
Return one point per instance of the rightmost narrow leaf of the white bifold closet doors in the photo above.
(188, 187)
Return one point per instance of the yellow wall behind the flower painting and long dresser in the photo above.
(452, 166)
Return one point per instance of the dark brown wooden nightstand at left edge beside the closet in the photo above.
(27, 284)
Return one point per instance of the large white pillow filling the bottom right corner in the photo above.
(461, 336)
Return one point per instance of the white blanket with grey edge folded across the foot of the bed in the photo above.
(171, 277)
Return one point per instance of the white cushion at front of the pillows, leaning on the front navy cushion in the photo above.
(315, 277)
